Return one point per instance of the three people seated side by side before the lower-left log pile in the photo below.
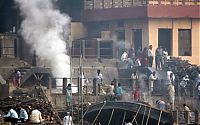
(19, 114)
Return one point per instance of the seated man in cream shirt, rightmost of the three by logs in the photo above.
(36, 116)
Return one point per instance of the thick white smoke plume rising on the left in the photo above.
(43, 28)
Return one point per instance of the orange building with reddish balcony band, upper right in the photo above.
(172, 24)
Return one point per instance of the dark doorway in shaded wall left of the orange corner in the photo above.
(137, 39)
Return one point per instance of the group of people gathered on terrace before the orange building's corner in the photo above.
(145, 57)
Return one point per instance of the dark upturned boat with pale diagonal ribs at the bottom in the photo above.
(115, 113)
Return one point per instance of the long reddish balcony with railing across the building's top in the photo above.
(105, 10)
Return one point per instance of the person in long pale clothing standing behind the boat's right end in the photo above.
(171, 92)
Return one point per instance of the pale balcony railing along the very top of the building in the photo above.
(101, 4)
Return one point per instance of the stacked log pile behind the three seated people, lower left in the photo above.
(30, 104)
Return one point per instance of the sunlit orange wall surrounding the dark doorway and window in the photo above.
(175, 24)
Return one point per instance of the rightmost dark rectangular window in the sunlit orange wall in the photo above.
(184, 42)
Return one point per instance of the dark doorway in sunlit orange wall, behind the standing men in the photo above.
(165, 39)
